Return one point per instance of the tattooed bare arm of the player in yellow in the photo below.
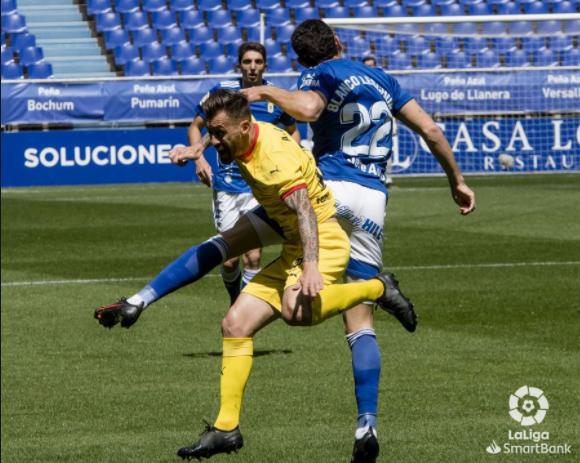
(311, 279)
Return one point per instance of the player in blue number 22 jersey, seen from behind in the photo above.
(351, 109)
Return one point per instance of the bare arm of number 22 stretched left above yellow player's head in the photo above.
(303, 106)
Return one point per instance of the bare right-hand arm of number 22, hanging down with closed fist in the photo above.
(413, 116)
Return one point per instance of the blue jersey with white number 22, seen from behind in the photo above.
(353, 137)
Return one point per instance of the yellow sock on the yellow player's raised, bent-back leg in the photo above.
(337, 298)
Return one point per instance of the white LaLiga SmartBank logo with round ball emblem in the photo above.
(528, 406)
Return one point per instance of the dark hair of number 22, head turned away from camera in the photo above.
(313, 42)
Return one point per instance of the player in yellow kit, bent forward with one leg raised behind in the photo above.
(300, 286)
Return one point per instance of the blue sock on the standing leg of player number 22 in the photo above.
(366, 368)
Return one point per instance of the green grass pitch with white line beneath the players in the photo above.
(498, 295)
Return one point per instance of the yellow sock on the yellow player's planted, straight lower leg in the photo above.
(236, 366)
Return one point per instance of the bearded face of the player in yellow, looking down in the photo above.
(228, 136)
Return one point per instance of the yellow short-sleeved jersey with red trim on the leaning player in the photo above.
(275, 166)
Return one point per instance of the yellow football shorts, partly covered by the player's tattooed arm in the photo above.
(333, 255)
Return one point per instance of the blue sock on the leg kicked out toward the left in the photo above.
(193, 264)
